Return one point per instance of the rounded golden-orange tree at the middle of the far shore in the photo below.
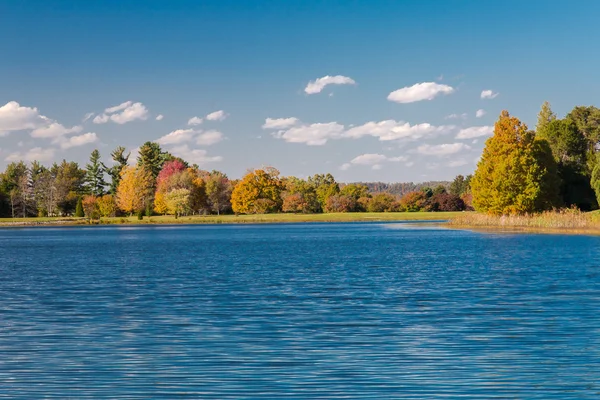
(258, 192)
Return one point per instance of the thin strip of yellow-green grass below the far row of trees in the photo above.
(237, 219)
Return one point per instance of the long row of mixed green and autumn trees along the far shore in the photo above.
(158, 183)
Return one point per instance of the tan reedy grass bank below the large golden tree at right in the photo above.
(570, 221)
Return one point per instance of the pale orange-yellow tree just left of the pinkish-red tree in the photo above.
(135, 189)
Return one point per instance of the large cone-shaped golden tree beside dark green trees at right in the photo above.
(516, 173)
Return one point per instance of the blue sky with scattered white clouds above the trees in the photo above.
(376, 90)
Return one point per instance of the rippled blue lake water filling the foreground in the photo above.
(367, 311)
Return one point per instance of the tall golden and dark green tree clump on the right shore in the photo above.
(556, 165)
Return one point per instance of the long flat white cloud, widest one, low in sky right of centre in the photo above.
(395, 130)
